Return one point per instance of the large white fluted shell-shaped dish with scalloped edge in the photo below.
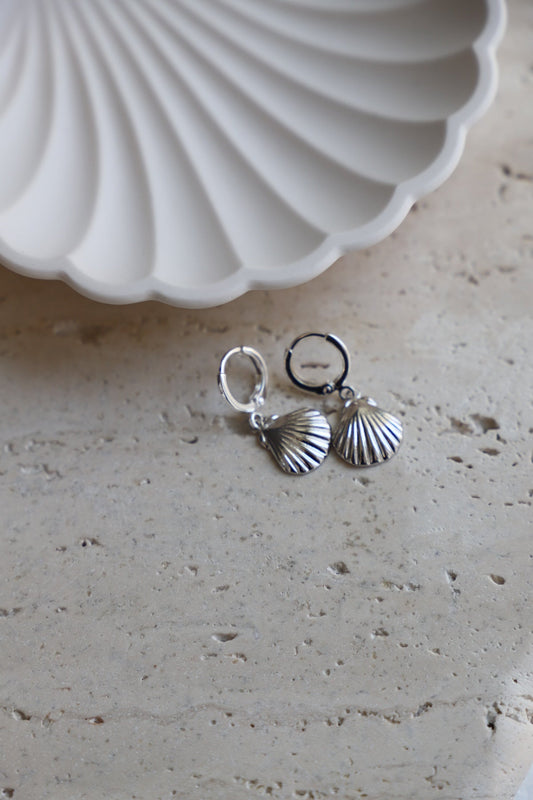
(190, 150)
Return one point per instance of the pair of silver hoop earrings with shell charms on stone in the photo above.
(364, 435)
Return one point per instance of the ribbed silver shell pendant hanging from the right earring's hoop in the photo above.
(366, 435)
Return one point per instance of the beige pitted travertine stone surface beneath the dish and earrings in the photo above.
(179, 619)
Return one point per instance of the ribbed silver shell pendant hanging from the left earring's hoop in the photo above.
(299, 441)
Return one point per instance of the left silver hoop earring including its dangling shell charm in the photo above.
(299, 441)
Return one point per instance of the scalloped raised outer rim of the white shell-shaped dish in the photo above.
(333, 246)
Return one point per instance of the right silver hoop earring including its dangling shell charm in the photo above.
(365, 435)
